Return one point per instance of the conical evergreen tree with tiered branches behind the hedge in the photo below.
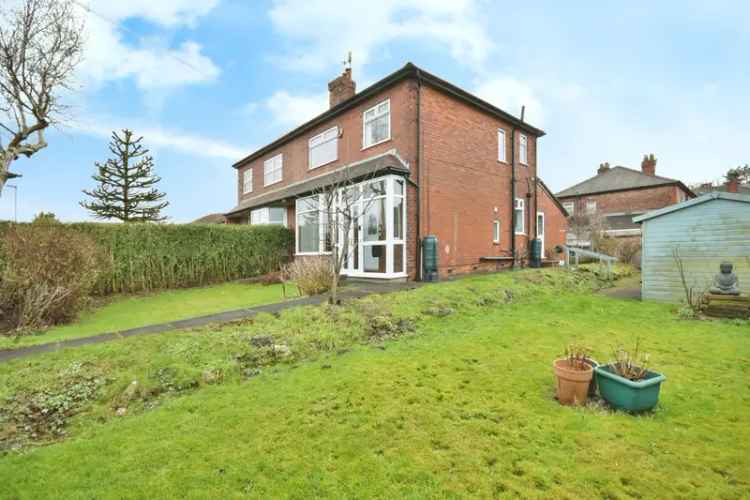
(126, 188)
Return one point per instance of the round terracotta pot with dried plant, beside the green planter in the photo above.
(574, 373)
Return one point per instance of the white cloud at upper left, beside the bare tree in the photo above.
(150, 61)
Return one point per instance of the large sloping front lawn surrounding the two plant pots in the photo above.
(441, 392)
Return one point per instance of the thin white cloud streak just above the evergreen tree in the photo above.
(157, 136)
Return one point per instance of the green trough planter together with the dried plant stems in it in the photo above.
(628, 383)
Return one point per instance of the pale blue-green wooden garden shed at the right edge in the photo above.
(704, 232)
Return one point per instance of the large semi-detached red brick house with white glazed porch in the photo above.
(435, 159)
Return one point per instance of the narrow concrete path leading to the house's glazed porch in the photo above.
(351, 291)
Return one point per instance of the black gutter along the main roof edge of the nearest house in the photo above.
(408, 71)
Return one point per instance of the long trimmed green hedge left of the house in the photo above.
(144, 257)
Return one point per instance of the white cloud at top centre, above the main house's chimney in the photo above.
(326, 30)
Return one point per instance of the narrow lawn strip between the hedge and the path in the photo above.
(126, 312)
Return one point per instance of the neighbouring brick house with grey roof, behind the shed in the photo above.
(617, 194)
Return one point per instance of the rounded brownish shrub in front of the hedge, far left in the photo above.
(48, 274)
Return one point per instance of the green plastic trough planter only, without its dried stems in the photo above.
(625, 394)
